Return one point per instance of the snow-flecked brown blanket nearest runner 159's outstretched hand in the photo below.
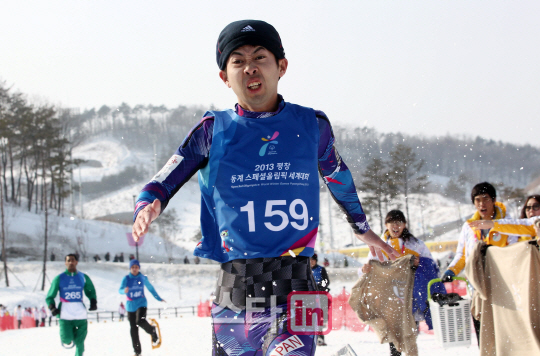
(382, 299)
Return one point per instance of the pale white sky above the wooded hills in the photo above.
(431, 67)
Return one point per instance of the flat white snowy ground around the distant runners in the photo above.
(179, 285)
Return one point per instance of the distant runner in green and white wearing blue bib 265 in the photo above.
(72, 285)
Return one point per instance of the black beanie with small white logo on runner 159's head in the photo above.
(247, 32)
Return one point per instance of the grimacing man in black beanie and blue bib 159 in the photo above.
(259, 167)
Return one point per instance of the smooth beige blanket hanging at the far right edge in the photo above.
(507, 298)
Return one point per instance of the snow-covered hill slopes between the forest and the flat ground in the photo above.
(90, 234)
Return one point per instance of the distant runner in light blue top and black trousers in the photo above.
(133, 287)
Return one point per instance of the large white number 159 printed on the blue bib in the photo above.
(273, 208)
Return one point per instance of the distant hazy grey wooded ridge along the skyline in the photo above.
(449, 156)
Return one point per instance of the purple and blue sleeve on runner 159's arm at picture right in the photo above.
(338, 178)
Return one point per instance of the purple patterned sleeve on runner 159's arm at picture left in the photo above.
(191, 156)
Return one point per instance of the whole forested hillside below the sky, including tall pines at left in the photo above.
(36, 142)
